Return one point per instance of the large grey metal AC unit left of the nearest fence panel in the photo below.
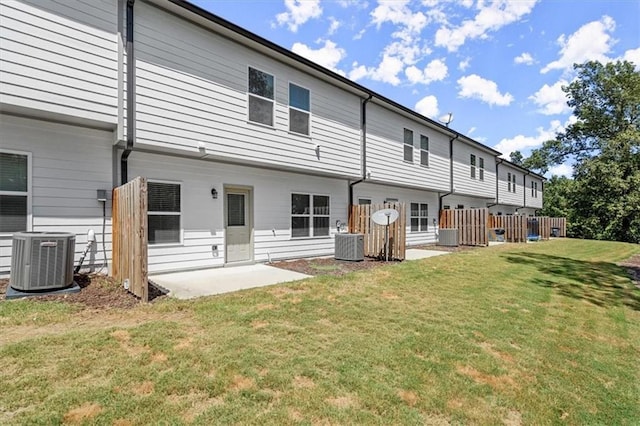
(42, 260)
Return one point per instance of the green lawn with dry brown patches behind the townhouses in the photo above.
(543, 333)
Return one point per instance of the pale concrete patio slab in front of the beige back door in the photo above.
(206, 282)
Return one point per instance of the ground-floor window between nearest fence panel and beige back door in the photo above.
(164, 212)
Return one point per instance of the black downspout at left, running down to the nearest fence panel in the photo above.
(131, 99)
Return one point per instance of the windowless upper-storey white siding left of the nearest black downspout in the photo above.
(60, 57)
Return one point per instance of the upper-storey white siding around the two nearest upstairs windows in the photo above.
(192, 96)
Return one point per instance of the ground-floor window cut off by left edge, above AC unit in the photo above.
(14, 191)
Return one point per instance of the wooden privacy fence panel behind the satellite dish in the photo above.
(374, 235)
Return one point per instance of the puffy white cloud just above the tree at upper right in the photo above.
(591, 42)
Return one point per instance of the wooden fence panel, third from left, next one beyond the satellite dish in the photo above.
(470, 223)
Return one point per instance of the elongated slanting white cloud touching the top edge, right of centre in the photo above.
(491, 17)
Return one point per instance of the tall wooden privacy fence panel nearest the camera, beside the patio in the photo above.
(129, 228)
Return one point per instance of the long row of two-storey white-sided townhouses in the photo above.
(252, 153)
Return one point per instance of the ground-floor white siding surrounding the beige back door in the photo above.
(203, 218)
